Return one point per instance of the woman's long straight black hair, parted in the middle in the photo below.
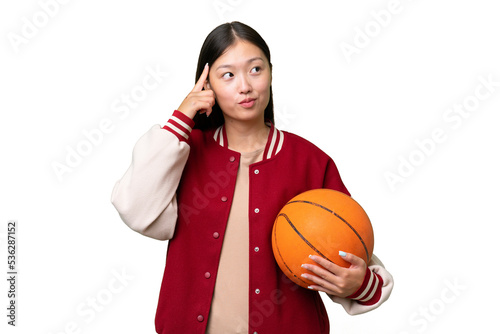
(216, 43)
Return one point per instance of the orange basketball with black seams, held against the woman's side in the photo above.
(320, 222)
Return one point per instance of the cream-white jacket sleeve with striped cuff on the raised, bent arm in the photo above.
(145, 197)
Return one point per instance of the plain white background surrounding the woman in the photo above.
(436, 227)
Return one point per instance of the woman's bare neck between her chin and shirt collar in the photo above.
(246, 136)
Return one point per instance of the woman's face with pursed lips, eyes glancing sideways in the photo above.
(241, 81)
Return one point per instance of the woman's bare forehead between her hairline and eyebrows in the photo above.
(239, 54)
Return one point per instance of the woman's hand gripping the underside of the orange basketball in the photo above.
(333, 279)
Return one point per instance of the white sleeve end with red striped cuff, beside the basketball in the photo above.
(379, 279)
